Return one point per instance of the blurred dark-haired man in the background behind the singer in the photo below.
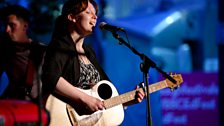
(20, 55)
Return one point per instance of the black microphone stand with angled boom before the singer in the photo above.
(145, 65)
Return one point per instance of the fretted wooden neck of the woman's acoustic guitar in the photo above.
(129, 96)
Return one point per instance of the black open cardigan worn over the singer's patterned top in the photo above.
(61, 60)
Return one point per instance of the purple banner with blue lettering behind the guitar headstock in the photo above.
(194, 103)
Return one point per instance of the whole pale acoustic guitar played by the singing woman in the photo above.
(62, 114)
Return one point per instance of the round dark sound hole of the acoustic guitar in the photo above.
(104, 91)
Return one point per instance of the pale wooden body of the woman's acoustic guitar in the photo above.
(60, 112)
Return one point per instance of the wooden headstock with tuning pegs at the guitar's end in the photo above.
(178, 79)
